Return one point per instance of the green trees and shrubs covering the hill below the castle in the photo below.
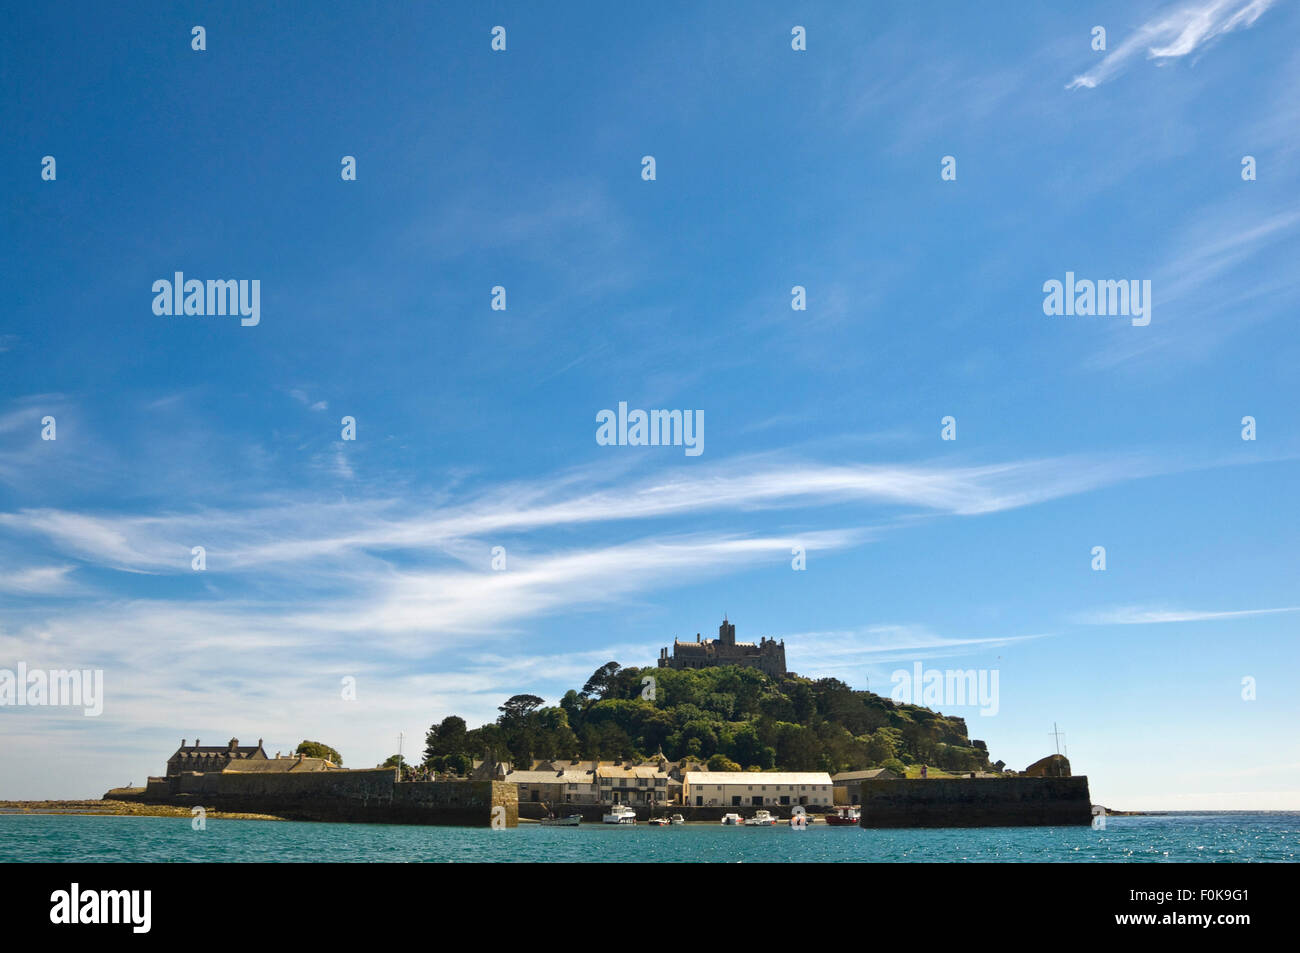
(727, 717)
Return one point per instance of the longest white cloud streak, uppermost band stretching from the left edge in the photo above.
(291, 530)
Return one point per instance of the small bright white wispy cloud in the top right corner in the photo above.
(1176, 34)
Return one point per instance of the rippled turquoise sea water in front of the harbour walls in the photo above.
(1198, 838)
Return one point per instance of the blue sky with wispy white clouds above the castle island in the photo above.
(371, 558)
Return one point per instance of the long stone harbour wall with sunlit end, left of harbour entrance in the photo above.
(365, 796)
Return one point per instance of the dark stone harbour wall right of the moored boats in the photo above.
(977, 803)
